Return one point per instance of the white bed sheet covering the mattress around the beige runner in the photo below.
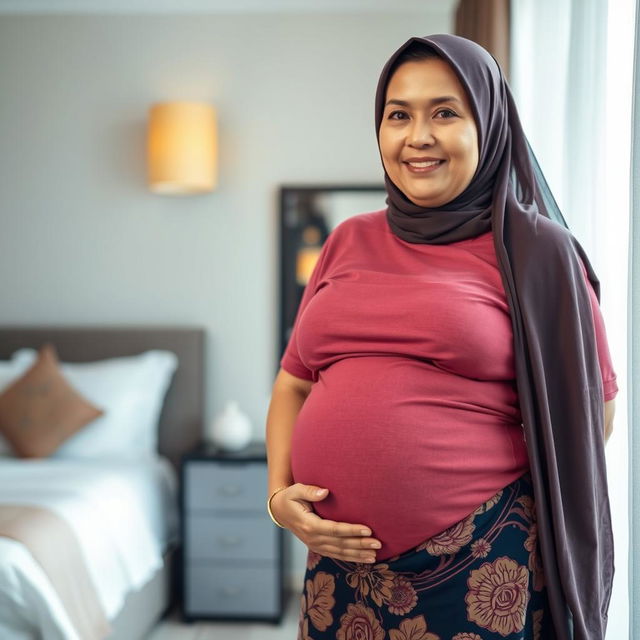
(124, 514)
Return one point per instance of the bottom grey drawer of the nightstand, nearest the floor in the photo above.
(211, 590)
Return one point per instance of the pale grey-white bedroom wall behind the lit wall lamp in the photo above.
(82, 241)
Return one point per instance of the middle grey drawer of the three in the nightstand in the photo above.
(214, 537)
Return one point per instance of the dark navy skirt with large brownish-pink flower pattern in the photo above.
(480, 579)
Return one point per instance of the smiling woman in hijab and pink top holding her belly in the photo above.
(446, 378)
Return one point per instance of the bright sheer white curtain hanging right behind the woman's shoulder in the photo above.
(571, 76)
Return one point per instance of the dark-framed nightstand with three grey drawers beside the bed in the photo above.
(232, 560)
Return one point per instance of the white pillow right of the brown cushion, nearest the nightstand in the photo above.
(131, 392)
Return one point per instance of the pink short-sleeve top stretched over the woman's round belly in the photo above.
(413, 418)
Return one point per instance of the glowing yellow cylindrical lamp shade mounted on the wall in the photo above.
(182, 148)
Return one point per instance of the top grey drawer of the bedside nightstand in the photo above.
(224, 486)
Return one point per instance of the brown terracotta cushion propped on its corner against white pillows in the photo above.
(40, 410)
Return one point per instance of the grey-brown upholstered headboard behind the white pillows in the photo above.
(183, 412)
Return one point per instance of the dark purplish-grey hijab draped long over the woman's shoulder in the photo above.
(558, 375)
